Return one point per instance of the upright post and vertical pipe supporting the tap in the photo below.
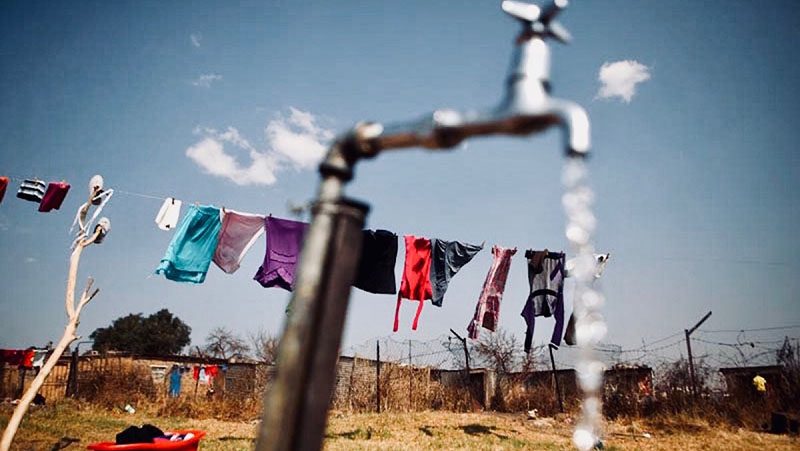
(296, 406)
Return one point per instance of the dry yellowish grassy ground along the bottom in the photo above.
(44, 427)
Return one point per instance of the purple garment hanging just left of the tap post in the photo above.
(284, 243)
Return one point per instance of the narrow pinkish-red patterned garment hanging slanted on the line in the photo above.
(487, 311)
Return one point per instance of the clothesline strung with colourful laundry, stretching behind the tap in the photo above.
(206, 233)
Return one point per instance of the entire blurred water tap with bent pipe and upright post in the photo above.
(295, 407)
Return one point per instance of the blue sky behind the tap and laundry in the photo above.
(696, 175)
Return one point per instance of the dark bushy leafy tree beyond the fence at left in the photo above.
(160, 333)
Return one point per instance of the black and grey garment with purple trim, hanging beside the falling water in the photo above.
(546, 297)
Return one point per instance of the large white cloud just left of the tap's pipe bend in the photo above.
(294, 141)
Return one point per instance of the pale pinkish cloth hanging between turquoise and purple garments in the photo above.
(239, 232)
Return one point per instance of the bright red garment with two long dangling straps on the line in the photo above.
(416, 283)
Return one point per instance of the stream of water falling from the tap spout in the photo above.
(590, 326)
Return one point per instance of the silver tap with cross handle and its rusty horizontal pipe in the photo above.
(526, 106)
